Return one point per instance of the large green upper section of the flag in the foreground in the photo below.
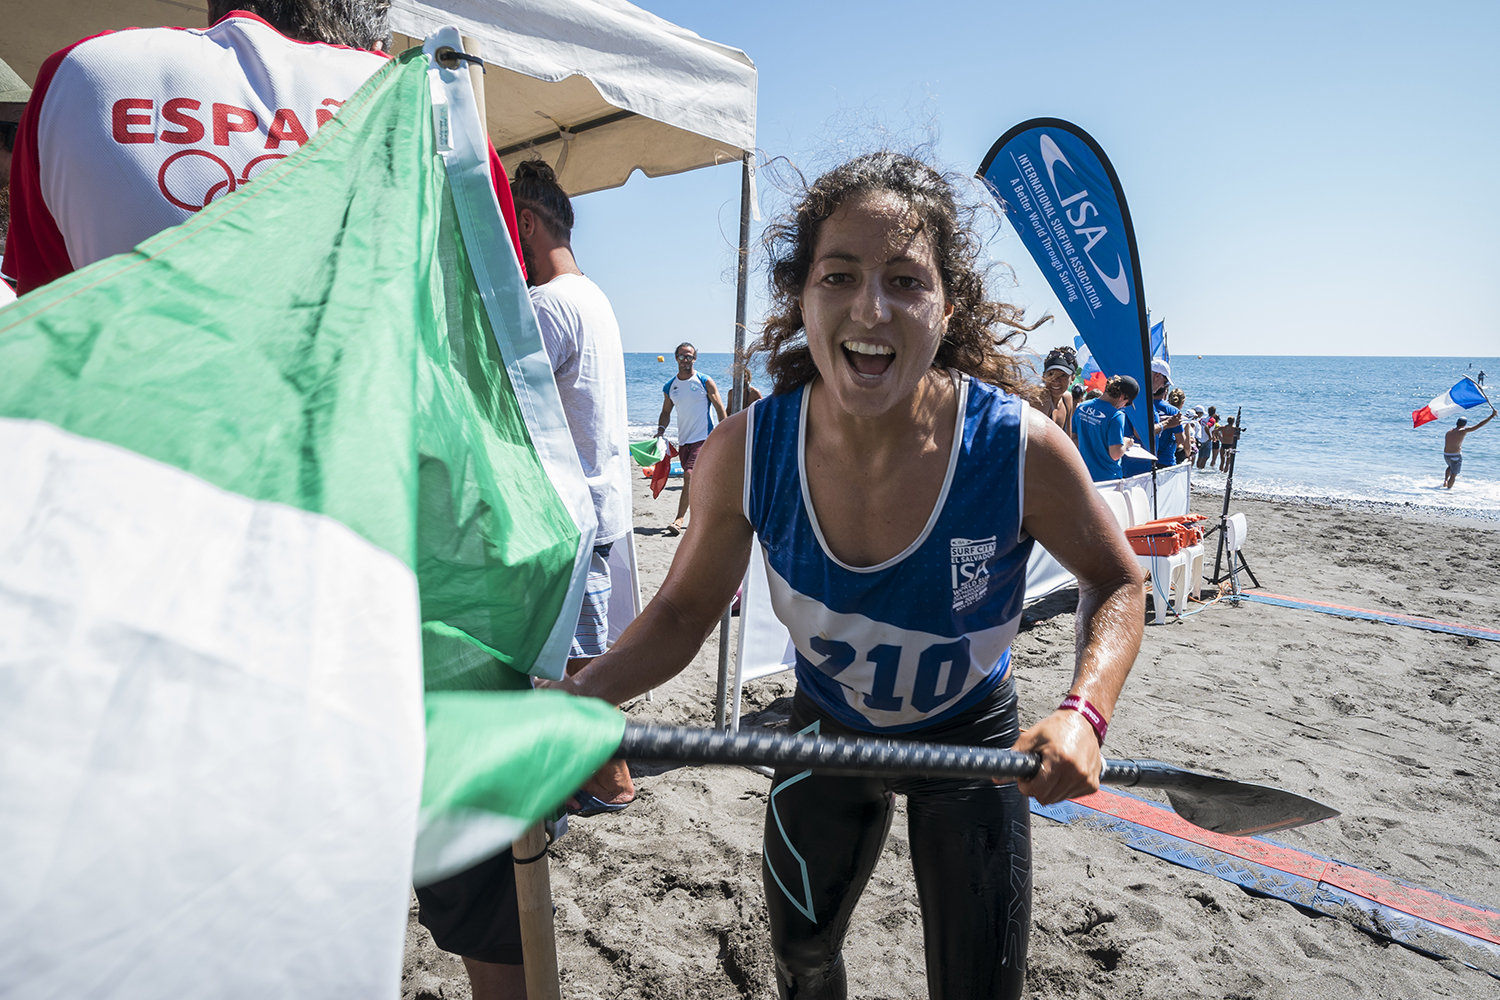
(317, 340)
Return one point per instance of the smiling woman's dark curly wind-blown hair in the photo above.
(982, 332)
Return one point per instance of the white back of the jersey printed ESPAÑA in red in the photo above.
(139, 130)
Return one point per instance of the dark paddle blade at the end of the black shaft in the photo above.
(1235, 809)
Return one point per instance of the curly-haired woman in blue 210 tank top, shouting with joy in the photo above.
(898, 481)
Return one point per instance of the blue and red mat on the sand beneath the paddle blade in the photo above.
(1382, 906)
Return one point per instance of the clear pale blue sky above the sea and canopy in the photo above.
(1306, 179)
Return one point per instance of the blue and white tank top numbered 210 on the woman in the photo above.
(925, 635)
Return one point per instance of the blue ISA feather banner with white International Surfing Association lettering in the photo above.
(1061, 194)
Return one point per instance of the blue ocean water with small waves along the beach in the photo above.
(1316, 428)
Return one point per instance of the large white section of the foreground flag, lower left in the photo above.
(211, 735)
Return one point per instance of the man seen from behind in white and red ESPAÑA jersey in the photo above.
(131, 133)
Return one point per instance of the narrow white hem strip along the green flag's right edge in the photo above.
(497, 274)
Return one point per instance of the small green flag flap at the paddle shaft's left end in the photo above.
(514, 753)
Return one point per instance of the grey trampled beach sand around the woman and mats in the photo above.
(1394, 726)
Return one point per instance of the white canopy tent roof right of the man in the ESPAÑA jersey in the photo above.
(598, 88)
